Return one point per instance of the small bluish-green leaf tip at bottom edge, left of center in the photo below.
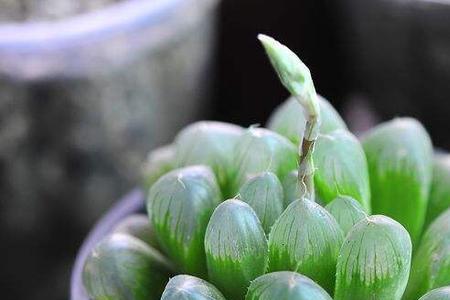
(186, 287)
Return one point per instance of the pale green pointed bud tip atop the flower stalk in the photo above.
(293, 73)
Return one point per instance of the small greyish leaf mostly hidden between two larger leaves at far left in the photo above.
(138, 225)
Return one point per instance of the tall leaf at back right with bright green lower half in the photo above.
(399, 154)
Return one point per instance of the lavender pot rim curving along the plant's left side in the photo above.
(130, 204)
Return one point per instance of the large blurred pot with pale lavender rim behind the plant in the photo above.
(82, 100)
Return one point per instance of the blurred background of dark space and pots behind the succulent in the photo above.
(87, 88)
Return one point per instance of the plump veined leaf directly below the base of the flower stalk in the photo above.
(306, 239)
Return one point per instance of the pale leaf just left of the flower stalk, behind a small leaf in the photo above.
(259, 150)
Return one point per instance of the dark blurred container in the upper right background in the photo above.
(399, 52)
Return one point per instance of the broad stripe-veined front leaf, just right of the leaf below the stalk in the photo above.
(374, 261)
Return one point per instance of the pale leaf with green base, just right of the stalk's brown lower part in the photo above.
(341, 168)
